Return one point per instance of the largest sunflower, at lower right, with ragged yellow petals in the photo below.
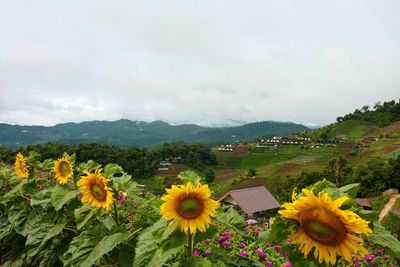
(323, 225)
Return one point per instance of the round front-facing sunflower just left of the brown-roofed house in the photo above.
(189, 205)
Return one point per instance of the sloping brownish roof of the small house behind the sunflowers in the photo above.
(254, 199)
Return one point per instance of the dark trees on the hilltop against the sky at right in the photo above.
(381, 114)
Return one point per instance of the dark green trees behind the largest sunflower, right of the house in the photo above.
(374, 177)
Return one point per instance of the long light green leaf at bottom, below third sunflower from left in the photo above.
(103, 247)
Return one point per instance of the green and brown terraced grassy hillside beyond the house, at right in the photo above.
(291, 160)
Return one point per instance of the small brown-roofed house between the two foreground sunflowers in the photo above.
(253, 202)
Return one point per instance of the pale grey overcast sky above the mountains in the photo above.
(205, 62)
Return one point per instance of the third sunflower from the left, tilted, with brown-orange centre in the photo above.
(95, 190)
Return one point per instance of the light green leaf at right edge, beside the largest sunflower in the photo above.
(382, 237)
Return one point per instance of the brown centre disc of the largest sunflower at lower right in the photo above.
(325, 228)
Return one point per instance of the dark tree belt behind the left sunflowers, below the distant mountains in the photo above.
(138, 162)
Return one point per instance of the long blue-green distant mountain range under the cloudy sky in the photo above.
(137, 133)
